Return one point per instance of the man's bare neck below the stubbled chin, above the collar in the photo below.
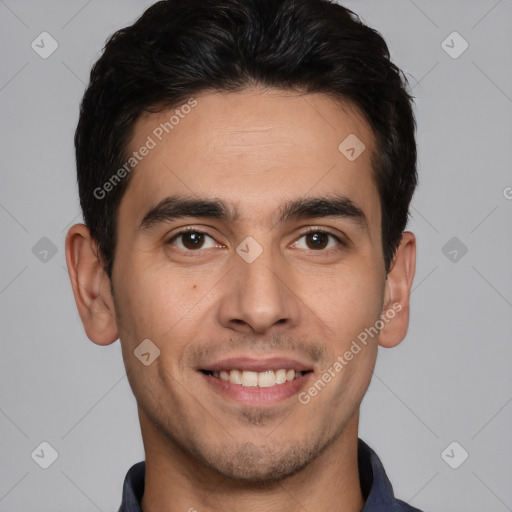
(176, 482)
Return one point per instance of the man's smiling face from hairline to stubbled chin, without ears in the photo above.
(267, 276)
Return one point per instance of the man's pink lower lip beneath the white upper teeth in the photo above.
(256, 395)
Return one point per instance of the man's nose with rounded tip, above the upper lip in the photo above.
(259, 295)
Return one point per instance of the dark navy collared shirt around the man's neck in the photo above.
(375, 485)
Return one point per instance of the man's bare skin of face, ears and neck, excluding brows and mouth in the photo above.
(254, 150)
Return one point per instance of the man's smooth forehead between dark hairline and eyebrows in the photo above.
(255, 149)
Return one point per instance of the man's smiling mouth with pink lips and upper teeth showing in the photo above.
(255, 382)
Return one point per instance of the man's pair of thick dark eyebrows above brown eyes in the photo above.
(176, 206)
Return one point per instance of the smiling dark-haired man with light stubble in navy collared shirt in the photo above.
(245, 169)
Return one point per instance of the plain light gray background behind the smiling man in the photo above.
(449, 381)
